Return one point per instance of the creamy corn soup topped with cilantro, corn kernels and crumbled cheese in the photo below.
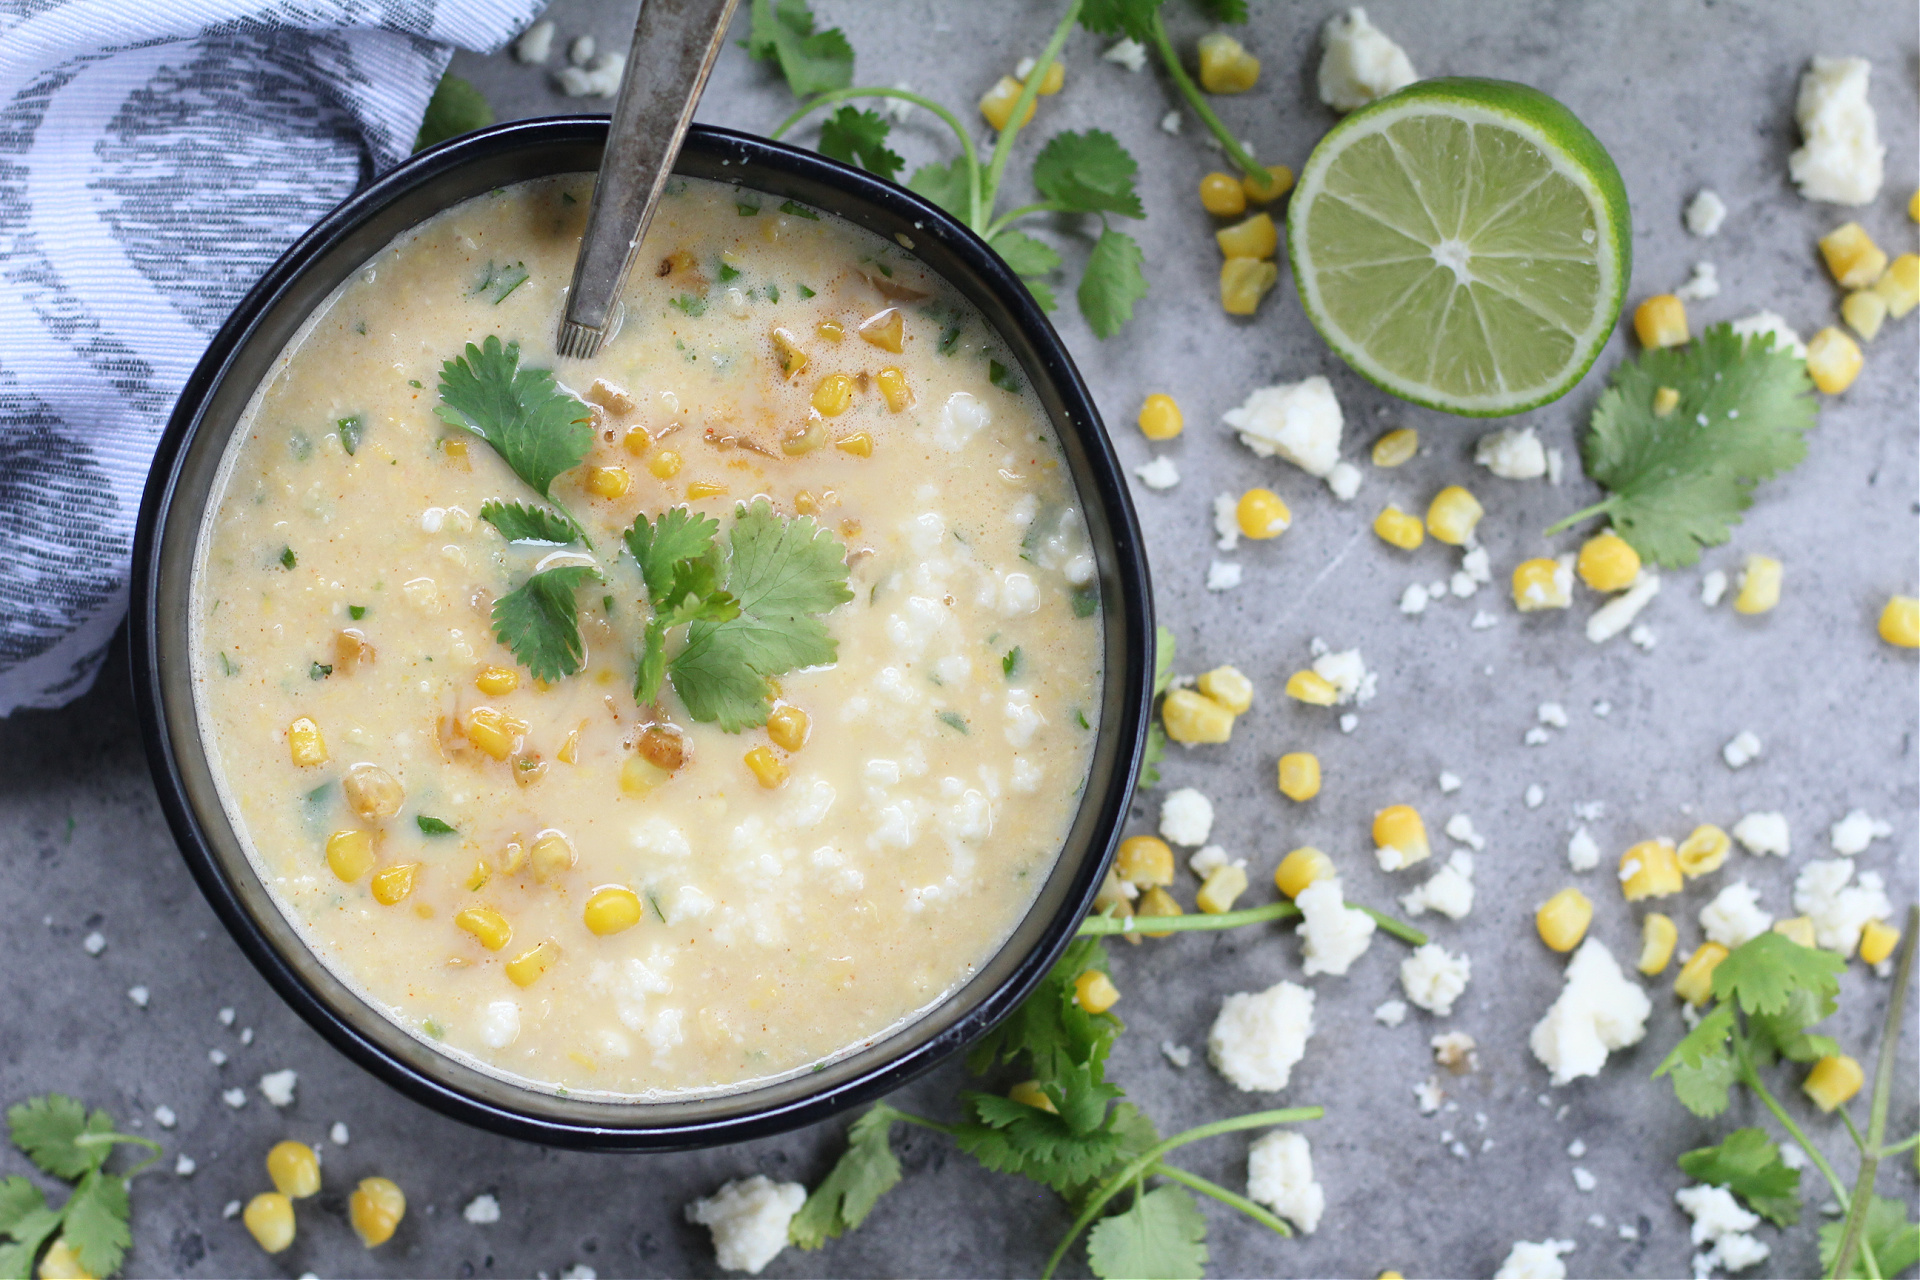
(517, 774)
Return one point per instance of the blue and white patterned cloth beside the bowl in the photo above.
(156, 156)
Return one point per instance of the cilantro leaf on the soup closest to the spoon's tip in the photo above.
(535, 427)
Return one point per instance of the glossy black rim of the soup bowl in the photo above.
(1126, 605)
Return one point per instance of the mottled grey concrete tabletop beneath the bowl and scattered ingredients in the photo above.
(1685, 95)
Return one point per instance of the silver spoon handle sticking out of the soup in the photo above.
(675, 49)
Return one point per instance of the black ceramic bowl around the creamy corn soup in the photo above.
(164, 556)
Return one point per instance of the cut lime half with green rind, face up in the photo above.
(1464, 245)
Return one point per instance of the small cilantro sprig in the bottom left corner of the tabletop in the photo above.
(68, 1143)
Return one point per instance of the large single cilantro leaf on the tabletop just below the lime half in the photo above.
(1679, 483)
